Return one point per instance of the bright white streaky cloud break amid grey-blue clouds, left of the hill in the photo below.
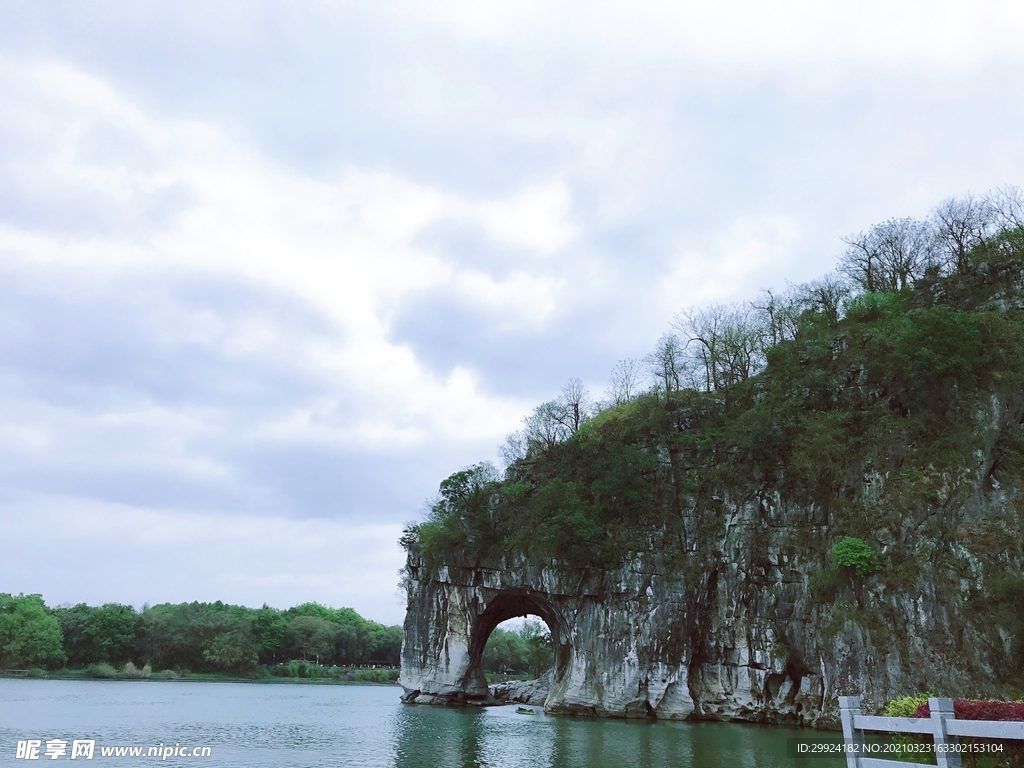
(343, 247)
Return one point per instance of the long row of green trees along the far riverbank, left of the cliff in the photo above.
(198, 637)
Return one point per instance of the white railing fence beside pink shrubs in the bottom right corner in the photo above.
(943, 727)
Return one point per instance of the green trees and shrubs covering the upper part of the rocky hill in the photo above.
(874, 405)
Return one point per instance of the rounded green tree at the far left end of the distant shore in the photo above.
(30, 635)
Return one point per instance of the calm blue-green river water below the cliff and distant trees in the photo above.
(310, 727)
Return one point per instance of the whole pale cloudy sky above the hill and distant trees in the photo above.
(271, 272)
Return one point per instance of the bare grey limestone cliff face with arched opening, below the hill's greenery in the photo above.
(747, 637)
